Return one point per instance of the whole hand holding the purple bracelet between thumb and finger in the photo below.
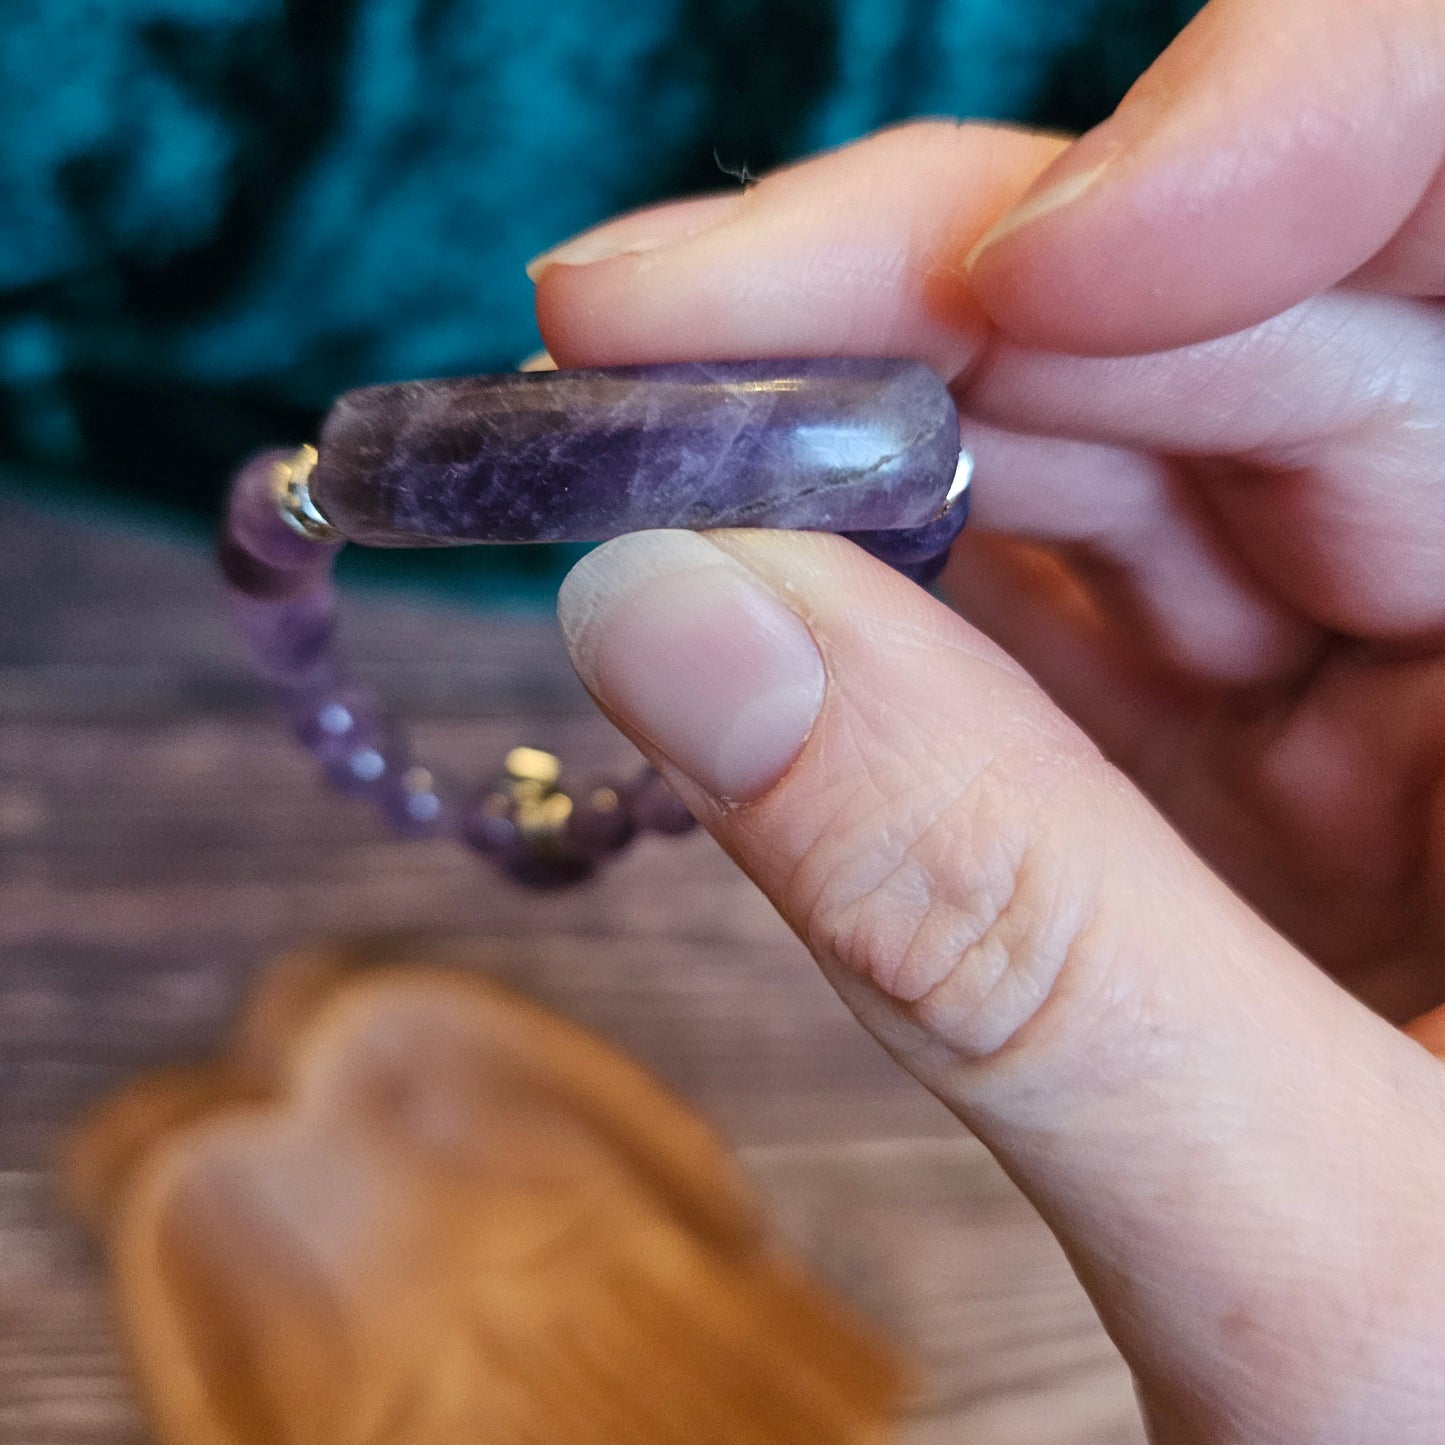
(1206, 389)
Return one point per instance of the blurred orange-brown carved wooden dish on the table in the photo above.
(414, 1209)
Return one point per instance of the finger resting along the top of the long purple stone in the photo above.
(850, 254)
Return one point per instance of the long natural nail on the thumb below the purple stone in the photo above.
(687, 647)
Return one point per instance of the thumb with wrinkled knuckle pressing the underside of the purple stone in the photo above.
(1223, 1141)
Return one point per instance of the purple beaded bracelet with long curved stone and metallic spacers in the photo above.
(868, 449)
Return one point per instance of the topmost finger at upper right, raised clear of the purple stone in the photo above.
(1272, 151)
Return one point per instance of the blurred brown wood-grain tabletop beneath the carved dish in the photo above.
(160, 840)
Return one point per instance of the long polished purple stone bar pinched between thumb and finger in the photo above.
(833, 444)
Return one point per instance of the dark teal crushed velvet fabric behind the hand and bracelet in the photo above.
(215, 215)
